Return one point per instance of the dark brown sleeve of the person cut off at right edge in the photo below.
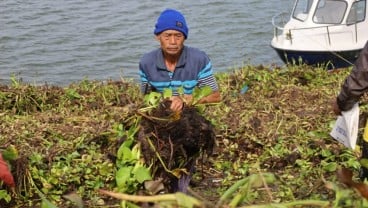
(356, 84)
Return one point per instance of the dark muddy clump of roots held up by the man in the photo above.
(172, 143)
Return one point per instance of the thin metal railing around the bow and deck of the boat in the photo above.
(279, 20)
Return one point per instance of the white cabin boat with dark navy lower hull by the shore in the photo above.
(327, 33)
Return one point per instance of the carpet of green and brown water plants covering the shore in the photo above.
(273, 144)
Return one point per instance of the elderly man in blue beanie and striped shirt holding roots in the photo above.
(175, 65)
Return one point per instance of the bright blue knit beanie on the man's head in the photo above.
(171, 20)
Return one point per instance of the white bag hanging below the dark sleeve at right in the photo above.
(346, 127)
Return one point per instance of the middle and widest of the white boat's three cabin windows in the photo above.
(330, 11)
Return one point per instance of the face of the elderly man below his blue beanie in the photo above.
(172, 42)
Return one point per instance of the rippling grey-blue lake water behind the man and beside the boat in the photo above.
(65, 41)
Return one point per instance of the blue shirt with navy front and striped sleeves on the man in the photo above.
(193, 69)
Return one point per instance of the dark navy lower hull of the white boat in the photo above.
(328, 59)
